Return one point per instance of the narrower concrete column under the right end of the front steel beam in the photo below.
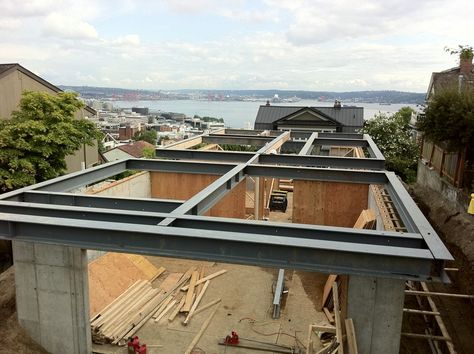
(376, 307)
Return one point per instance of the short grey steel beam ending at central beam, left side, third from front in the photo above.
(95, 201)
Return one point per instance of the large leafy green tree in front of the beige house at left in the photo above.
(36, 140)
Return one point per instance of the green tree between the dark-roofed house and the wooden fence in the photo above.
(392, 135)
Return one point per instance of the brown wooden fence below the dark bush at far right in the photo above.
(449, 165)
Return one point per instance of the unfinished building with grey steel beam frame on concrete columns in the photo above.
(237, 241)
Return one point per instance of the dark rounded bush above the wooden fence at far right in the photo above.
(449, 118)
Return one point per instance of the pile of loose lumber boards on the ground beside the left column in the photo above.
(141, 302)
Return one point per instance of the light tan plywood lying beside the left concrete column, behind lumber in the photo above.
(111, 274)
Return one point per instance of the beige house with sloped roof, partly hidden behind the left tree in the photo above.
(14, 79)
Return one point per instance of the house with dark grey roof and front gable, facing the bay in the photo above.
(323, 119)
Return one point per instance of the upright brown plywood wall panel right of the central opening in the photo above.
(328, 203)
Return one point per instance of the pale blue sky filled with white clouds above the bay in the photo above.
(337, 45)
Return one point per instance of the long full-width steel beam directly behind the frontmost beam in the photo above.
(300, 231)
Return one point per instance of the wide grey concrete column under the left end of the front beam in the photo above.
(52, 296)
